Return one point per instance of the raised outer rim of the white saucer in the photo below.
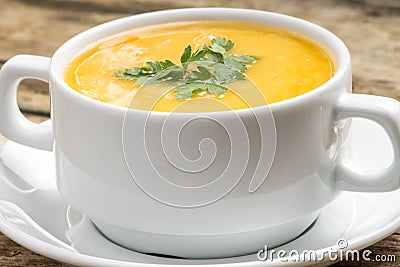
(60, 254)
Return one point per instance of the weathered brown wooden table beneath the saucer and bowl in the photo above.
(370, 28)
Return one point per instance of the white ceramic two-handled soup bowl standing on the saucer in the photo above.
(202, 185)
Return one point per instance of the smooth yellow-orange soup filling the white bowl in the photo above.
(287, 65)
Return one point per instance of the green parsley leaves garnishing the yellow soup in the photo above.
(201, 70)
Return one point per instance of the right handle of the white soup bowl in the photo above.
(386, 112)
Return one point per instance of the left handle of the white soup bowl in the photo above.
(13, 123)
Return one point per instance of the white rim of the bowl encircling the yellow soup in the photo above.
(336, 46)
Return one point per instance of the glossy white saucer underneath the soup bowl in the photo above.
(33, 214)
